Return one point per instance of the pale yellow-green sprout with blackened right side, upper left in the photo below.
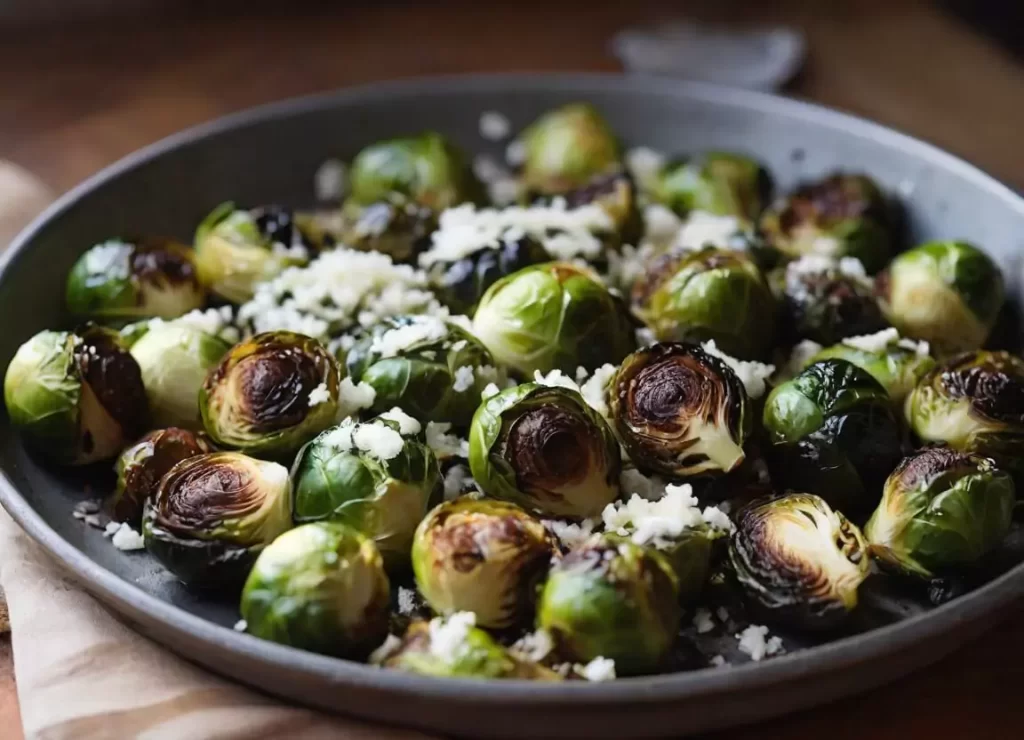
(237, 249)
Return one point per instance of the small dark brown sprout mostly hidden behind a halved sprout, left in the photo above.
(143, 465)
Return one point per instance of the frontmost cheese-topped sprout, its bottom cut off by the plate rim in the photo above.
(454, 648)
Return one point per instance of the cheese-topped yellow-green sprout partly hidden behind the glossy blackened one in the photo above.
(897, 364)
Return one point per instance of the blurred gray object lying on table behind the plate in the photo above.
(757, 59)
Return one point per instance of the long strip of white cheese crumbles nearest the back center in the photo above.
(565, 233)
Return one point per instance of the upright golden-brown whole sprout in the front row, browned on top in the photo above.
(482, 556)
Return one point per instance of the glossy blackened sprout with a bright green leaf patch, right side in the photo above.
(833, 432)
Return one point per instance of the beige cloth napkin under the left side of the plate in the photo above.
(84, 676)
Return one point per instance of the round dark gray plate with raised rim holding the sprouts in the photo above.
(271, 155)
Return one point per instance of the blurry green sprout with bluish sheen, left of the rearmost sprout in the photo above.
(426, 170)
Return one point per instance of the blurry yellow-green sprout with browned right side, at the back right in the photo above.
(718, 183)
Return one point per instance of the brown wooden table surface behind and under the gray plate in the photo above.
(73, 102)
